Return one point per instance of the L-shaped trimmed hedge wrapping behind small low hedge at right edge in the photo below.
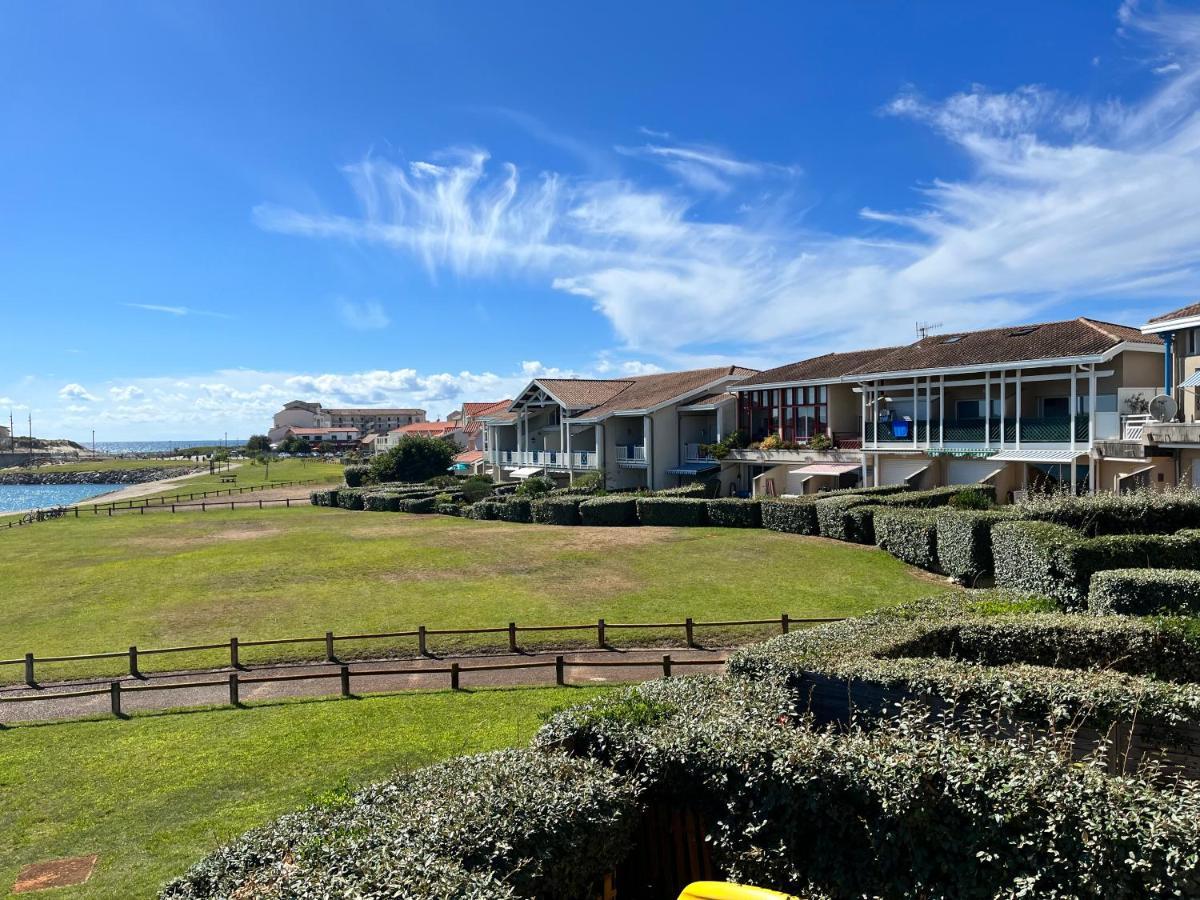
(1059, 562)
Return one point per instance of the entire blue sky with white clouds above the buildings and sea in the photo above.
(208, 209)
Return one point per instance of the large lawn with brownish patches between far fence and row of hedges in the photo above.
(161, 580)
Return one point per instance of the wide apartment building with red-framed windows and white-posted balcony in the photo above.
(1019, 406)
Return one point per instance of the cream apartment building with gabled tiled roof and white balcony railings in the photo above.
(647, 431)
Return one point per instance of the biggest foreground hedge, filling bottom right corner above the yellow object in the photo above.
(913, 811)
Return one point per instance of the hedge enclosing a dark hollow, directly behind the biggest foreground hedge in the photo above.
(1055, 668)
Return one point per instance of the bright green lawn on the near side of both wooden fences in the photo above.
(154, 794)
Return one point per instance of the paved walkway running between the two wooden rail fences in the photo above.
(431, 675)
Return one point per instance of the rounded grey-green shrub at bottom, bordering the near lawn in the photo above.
(514, 824)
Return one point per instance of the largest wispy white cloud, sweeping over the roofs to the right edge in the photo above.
(1064, 200)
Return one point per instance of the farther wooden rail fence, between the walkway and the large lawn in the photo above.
(235, 646)
